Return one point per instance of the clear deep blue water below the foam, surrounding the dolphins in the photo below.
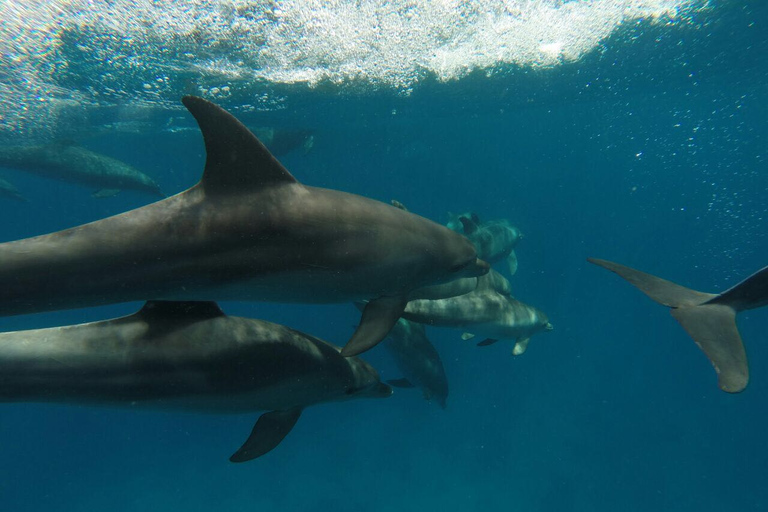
(649, 150)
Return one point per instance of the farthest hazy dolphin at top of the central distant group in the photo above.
(494, 240)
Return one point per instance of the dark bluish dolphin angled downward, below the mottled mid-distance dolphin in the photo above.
(418, 361)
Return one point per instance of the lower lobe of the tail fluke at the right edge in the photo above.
(713, 328)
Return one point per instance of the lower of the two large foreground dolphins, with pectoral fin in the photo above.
(188, 357)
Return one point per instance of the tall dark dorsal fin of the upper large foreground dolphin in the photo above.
(236, 160)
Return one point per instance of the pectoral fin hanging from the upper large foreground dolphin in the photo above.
(379, 316)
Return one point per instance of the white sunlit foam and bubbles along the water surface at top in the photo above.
(155, 49)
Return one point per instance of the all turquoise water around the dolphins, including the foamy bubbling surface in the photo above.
(635, 133)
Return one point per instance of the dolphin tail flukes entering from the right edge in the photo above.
(710, 319)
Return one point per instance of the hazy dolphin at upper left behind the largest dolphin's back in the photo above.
(68, 162)
